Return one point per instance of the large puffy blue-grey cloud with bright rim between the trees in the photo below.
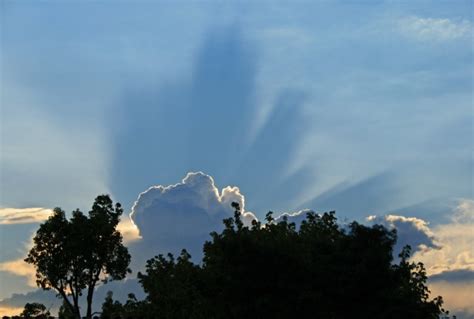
(170, 218)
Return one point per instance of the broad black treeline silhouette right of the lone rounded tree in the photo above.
(317, 269)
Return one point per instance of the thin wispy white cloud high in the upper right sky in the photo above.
(432, 29)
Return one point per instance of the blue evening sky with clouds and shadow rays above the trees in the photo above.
(177, 108)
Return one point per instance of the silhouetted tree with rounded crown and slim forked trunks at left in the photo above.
(72, 256)
